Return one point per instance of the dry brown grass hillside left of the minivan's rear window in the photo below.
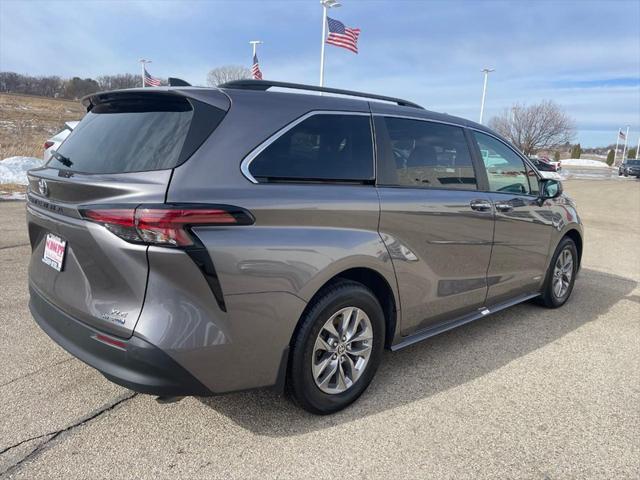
(27, 121)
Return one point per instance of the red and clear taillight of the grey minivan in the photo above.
(165, 225)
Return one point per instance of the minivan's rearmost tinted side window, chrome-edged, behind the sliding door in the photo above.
(322, 147)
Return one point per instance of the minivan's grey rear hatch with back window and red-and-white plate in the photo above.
(119, 157)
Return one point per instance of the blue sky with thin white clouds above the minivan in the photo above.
(584, 54)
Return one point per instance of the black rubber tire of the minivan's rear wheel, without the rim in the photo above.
(300, 382)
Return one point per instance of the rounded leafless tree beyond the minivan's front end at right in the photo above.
(535, 127)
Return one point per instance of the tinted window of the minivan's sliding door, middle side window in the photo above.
(428, 154)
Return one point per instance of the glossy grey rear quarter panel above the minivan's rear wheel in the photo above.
(302, 237)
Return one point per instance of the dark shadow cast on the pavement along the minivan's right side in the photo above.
(439, 363)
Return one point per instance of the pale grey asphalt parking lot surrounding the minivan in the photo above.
(525, 393)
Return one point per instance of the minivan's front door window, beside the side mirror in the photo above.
(505, 170)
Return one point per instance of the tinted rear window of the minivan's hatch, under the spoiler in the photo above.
(127, 136)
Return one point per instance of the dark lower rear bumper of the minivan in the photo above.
(135, 364)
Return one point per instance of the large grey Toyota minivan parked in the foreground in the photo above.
(197, 241)
